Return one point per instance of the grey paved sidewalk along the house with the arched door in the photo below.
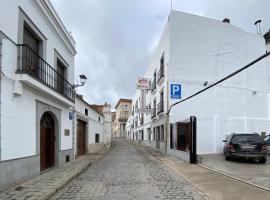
(45, 185)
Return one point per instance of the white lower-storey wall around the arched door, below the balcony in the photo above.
(19, 126)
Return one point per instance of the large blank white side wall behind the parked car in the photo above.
(207, 50)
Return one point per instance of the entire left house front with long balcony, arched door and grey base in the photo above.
(37, 97)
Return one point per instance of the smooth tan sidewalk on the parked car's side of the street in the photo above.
(213, 184)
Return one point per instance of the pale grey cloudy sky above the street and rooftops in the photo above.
(115, 38)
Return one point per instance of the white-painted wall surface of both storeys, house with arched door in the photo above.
(18, 126)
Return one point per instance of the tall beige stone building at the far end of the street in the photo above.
(123, 110)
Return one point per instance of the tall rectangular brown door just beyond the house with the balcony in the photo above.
(81, 138)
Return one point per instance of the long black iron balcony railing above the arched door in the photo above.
(32, 64)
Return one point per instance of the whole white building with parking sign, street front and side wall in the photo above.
(195, 52)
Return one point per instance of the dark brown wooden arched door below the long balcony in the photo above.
(47, 141)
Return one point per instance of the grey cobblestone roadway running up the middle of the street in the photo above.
(129, 171)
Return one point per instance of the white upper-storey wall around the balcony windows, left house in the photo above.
(10, 13)
